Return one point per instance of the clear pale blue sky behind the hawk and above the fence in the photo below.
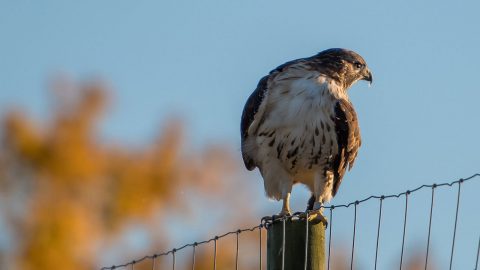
(201, 59)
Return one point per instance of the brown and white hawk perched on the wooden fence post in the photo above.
(299, 126)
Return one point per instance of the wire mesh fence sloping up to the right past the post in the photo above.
(265, 223)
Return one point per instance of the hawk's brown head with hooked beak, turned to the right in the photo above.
(345, 66)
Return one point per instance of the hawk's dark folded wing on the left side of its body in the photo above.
(253, 112)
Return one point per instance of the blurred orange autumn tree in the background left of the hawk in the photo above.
(67, 193)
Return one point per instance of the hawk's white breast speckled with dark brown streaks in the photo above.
(299, 129)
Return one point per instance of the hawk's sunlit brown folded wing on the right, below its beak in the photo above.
(348, 138)
